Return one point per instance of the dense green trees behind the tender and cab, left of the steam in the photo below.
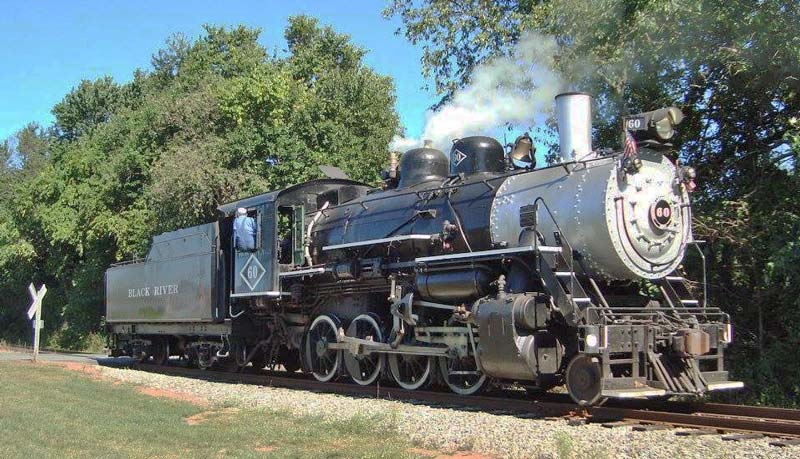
(216, 119)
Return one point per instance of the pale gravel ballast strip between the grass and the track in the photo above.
(454, 430)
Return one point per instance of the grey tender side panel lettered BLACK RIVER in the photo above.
(177, 283)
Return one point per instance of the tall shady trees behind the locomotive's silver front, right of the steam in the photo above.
(733, 67)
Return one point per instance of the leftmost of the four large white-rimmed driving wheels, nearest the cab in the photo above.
(323, 362)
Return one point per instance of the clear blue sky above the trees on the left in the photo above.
(47, 47)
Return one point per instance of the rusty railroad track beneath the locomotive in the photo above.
(733, 422)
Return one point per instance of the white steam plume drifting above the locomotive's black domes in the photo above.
(513, 89)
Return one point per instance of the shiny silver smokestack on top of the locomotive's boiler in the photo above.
(574, 119)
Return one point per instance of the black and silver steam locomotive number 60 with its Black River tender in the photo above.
(465, 271)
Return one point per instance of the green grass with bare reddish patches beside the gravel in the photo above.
(50, 412)
